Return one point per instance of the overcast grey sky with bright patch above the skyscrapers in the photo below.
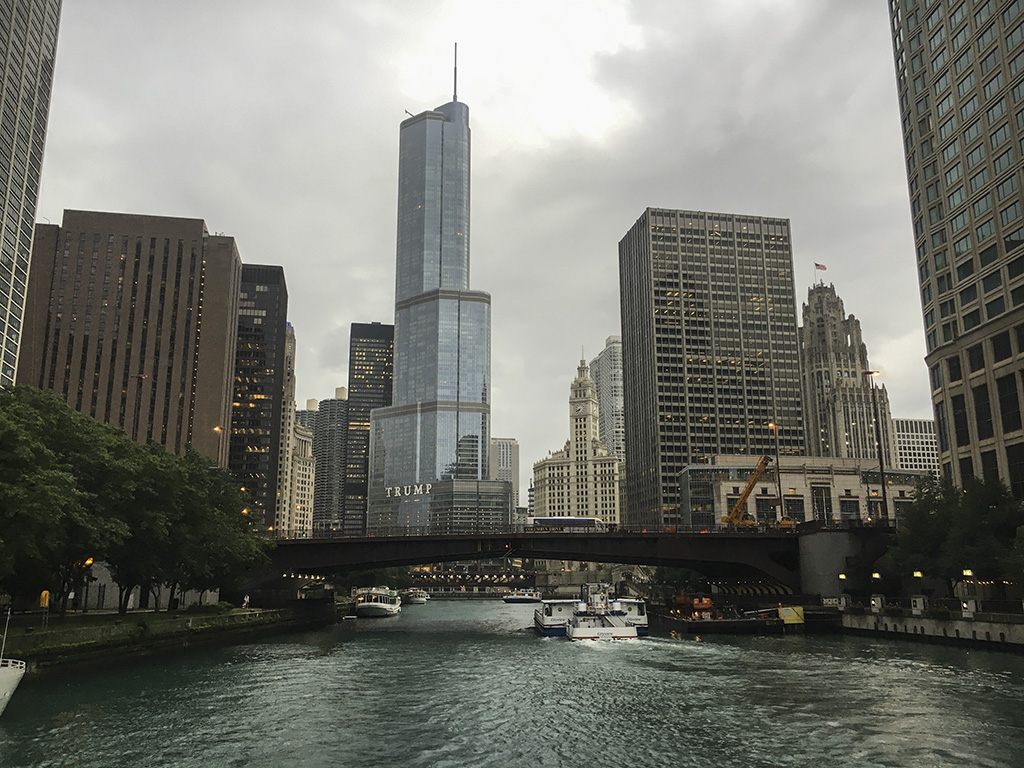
(278, 124)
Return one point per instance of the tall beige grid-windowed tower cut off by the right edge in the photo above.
(960, 73)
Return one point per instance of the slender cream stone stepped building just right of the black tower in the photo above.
(294, 508)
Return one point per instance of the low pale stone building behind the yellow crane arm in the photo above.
(814, 489)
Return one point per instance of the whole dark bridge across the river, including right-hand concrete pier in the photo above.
(805, 561)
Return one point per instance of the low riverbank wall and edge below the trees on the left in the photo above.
(95, 637)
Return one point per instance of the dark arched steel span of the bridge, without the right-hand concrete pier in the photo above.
(739, 556)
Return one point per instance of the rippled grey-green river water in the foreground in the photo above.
(468, 684)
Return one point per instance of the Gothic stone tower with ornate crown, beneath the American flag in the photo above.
(838, 385)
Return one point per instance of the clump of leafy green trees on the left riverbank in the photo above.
(74, 491)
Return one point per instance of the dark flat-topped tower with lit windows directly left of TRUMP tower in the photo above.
(371, 363)
